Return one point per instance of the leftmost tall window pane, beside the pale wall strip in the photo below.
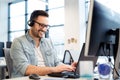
(16, 19)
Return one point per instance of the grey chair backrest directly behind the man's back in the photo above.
(8, 61)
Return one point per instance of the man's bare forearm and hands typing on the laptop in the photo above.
(31, 69)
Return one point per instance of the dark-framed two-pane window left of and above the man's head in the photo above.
(19, 13)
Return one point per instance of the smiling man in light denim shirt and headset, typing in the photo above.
(34, 54)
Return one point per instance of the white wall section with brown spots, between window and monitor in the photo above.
(75, 26)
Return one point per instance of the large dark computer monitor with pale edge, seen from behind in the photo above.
(101, 20)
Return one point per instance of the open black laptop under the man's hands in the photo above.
(68, 74)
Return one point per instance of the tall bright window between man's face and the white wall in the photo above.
(56, 20)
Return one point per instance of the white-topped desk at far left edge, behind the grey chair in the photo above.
(2, 67)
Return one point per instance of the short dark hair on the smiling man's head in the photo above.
(37, 13)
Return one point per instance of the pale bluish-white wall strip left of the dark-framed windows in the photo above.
(3, 20)
